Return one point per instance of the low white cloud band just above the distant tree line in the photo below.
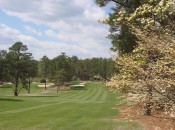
(51, 49)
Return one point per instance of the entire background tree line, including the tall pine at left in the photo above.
(18, 66)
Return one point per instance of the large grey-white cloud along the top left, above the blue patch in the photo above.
(41, 11)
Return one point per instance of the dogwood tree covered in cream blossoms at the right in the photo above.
(148, 73)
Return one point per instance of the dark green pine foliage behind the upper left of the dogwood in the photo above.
(121, 36)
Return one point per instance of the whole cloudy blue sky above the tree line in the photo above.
(49, 27)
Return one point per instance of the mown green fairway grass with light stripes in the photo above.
(91, 108)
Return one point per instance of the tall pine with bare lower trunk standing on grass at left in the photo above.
(18, 59)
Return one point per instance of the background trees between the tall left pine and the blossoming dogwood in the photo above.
(63, 69)
